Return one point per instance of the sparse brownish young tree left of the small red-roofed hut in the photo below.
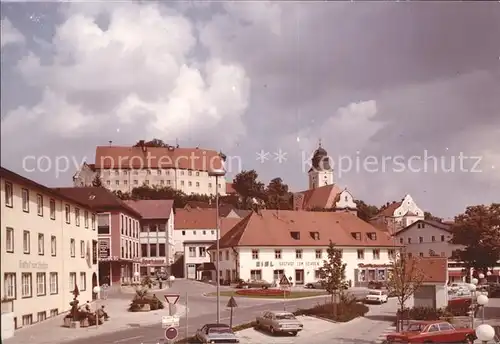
(405, 277)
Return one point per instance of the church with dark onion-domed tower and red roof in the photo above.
(323, 192)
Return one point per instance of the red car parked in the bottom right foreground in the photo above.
(432, 332)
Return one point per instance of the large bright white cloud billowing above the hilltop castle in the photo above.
(140, 67)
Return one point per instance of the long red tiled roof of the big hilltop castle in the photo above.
(112, 157)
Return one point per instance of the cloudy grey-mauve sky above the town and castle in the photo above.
(404, 96)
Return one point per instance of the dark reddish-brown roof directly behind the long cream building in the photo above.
(97, 198)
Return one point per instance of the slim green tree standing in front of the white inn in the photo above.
(332, 274)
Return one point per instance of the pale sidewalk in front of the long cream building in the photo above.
(51, 331)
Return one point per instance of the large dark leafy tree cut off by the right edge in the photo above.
(478, 230)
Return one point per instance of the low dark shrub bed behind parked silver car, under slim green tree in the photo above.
(347, 309)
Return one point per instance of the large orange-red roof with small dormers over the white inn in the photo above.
(272, 228)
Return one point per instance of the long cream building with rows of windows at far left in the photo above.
(49, 247)
